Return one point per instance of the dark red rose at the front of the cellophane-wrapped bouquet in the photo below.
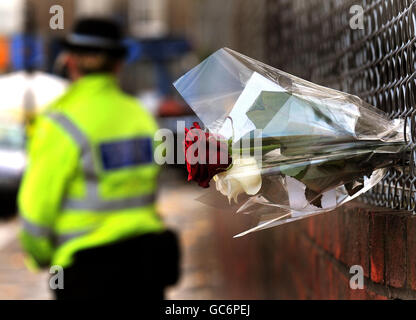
(199, 168)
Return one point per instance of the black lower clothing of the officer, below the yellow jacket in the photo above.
(136, 268)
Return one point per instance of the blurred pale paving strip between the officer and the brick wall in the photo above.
(201, 278)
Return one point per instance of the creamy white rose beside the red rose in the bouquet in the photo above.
(244, 176)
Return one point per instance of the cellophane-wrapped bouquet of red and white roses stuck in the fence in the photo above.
(280, 147)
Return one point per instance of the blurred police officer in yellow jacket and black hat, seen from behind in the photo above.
(87, 200)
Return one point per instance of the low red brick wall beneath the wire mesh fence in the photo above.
(311, 259)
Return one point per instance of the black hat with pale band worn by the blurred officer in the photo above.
(96, 34)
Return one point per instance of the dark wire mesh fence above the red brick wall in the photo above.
(313, 39)
